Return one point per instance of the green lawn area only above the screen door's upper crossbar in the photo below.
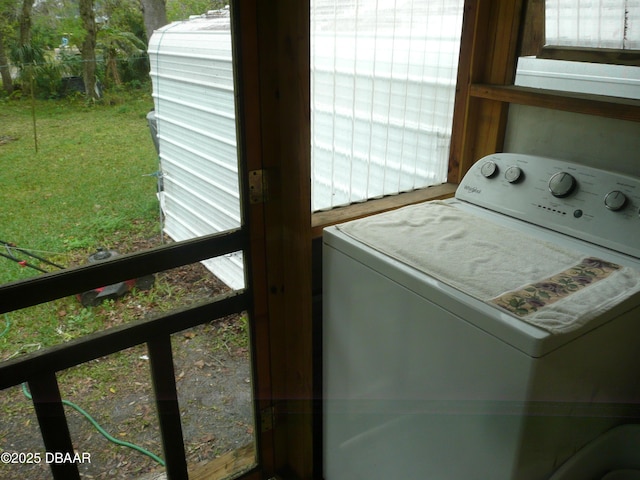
(85, 186)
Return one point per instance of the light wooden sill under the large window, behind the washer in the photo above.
(320, 220)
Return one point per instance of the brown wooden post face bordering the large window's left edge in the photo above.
(292, 226)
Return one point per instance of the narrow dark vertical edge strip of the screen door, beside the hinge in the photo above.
(249, 85)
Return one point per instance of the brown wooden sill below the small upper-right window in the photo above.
(600, 105)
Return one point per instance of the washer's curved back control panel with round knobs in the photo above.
(599, 206)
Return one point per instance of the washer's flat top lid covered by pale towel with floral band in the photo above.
(539, 282)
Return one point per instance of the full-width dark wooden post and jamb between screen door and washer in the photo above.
(281, 252)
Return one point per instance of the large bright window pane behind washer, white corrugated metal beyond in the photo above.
(383, 78)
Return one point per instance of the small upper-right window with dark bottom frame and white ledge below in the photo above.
(587, 48)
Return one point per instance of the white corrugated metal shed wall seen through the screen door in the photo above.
(192, 79)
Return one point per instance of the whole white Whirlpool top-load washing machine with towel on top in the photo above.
(490, 336)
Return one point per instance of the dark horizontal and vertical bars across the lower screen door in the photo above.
(39, 369)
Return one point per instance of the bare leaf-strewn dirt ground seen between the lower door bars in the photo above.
(213, 378)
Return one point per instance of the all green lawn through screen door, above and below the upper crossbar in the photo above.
(87, 186)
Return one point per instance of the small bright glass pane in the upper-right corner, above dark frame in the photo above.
(593, 23)
